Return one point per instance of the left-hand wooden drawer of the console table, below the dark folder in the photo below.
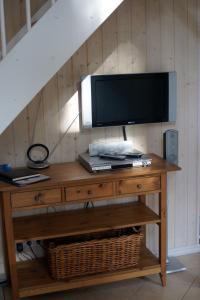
(36, 198)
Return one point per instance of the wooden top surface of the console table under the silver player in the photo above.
(73, 173)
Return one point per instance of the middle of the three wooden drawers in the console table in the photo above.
(92, 191)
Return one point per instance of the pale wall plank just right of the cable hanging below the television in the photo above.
(138, 133)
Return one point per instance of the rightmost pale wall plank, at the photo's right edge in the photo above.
(192, 122)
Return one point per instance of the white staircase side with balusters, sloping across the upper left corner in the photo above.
(37, 52)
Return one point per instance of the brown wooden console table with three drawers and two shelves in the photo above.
(71, 183)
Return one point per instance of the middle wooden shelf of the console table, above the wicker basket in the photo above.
(82, 221)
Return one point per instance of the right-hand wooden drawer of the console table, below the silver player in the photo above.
(138, 185)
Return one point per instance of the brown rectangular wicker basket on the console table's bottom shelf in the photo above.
(99, 253)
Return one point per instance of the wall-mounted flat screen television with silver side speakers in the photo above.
(124, 99)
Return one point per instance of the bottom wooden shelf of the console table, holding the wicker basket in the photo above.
(34, 278)
